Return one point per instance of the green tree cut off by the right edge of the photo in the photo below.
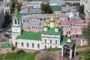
(86, 33)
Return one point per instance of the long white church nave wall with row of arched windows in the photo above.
(30, 42)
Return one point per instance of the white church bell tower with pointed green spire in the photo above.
(16, 23)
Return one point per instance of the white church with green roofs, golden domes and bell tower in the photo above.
(51, 36)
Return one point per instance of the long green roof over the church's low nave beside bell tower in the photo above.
(30, 35)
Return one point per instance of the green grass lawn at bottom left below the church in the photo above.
(15, 56)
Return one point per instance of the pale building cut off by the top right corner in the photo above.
(86, 4)
